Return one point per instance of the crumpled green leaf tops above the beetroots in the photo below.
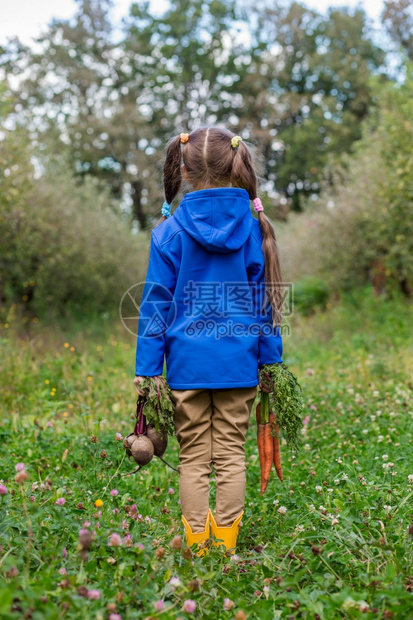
(159, 404)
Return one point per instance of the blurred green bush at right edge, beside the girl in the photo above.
(362, 229)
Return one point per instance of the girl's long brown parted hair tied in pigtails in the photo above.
(211, 161)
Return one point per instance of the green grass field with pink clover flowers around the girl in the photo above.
(334, 540)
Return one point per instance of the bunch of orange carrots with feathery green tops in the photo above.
(280, 409)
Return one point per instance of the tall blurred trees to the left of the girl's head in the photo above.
(114, 106)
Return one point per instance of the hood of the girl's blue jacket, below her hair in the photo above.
(220, 219)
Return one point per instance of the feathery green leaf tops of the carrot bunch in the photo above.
(285, 400)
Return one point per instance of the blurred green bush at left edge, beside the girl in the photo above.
(64, 248)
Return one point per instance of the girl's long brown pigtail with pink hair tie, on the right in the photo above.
(243, 175)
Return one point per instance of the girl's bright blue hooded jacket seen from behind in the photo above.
(202, 304)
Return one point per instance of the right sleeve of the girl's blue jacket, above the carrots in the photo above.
(270, 346)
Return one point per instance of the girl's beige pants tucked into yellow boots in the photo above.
(211, 426)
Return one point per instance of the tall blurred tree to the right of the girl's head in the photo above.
(305, 96)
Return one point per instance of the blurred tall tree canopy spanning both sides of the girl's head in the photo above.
(119, 100)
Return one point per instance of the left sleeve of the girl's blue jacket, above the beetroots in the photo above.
(157, 298)
